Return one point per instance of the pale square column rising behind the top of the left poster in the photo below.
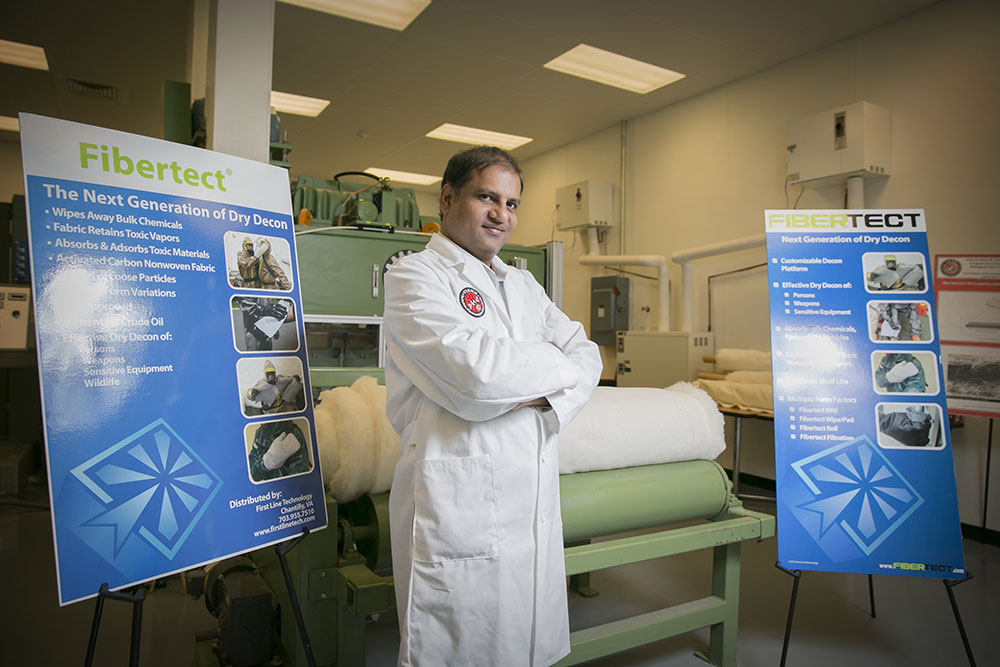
(238, 80)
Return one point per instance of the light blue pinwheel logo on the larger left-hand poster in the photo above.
(152, 485)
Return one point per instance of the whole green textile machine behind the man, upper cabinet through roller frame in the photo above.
(342, 575)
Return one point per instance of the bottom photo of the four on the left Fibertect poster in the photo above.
(278, 449)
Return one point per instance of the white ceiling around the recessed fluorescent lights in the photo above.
(470, 62)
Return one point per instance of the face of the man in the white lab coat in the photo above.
(482, 214)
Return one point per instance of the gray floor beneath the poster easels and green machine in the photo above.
(914, 624)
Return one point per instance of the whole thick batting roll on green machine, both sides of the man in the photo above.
(620, 427)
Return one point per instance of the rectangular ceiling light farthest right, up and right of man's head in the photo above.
(612, 69)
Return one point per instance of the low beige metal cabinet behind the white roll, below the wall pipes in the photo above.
(661, 358)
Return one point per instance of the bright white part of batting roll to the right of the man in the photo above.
(623, 427)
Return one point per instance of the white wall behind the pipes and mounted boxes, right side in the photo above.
(704, 170)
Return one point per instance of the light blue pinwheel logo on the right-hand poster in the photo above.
(857, 490)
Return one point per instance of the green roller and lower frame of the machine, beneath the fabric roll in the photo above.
(343, 575)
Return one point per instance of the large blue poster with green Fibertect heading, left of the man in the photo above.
(178, 420)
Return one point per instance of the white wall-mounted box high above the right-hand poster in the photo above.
(828, 148)
